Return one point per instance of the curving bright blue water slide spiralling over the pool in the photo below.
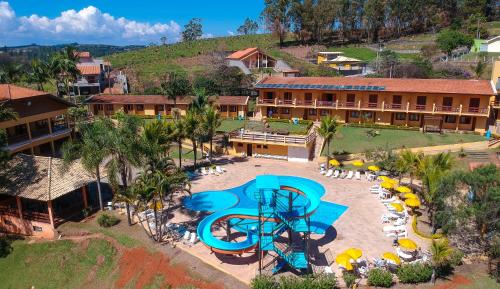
(304, 187)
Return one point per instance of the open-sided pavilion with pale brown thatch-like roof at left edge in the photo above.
(37, 195)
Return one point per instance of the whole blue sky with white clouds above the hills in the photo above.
(116, 22)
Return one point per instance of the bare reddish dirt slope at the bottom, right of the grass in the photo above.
(143, 266)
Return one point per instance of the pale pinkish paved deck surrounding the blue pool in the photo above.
(360, 226)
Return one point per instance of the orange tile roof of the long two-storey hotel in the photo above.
(443, 86)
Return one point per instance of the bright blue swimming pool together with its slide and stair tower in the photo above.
(263, 210)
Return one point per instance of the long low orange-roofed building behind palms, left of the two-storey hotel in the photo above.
(154, 105)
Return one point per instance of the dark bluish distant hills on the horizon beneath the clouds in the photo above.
(44, 51)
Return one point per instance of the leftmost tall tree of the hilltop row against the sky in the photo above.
(277, 16)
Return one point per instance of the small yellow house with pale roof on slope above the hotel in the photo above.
(344, 65)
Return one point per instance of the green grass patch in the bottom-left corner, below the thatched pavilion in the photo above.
(59, 264)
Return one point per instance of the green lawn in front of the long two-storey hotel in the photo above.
(356, 140)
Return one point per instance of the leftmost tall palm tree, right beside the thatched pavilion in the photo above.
(91, 149)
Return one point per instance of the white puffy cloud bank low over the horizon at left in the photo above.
(89, 25)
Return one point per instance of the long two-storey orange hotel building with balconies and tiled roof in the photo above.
(431, 104)
